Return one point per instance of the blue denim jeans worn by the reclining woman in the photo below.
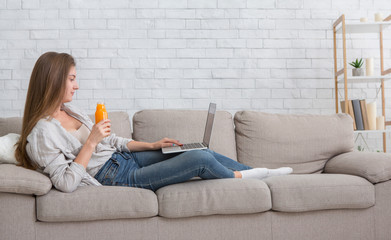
(153, 170)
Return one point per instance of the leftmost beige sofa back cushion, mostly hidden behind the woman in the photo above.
(120, 124)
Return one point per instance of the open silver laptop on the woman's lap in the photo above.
(197, 146)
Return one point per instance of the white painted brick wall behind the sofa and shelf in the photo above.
(269, 55)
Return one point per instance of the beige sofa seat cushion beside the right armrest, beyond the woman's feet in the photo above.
(309, 192)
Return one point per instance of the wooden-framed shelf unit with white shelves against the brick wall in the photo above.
(341, 27)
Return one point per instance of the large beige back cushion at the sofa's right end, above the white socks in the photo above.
(303, 142)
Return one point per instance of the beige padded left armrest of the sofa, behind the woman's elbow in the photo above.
(15, 179)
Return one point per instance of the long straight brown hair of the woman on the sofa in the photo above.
(45, 93)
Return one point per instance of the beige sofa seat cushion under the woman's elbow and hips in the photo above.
(96, 203)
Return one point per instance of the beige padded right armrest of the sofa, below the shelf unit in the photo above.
(375, 167)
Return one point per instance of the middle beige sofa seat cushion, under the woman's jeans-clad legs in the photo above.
(218, 196)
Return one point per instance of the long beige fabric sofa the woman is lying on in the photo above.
(334, 193)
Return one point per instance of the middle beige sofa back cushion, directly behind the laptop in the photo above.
(187, 126)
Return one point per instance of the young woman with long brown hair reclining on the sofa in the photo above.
(62, 142)
